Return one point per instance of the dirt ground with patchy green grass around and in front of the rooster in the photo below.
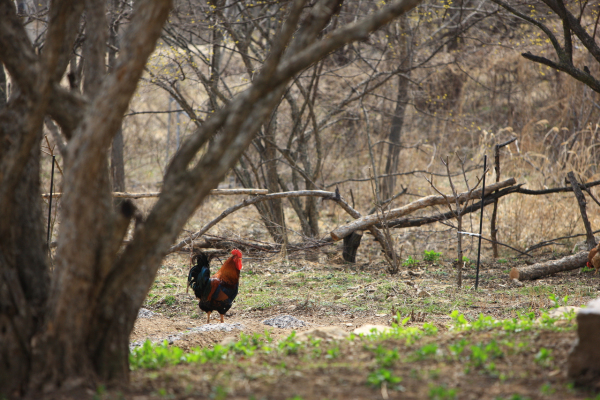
(346, 296)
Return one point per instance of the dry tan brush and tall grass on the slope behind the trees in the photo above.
(466, 93)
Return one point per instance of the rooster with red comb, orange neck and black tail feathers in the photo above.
(215, 293)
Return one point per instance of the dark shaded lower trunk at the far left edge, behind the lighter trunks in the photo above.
(23, 291)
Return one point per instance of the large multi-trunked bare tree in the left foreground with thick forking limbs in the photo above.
(71, 326)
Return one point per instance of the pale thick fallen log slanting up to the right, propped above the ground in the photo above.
(370, 220)
